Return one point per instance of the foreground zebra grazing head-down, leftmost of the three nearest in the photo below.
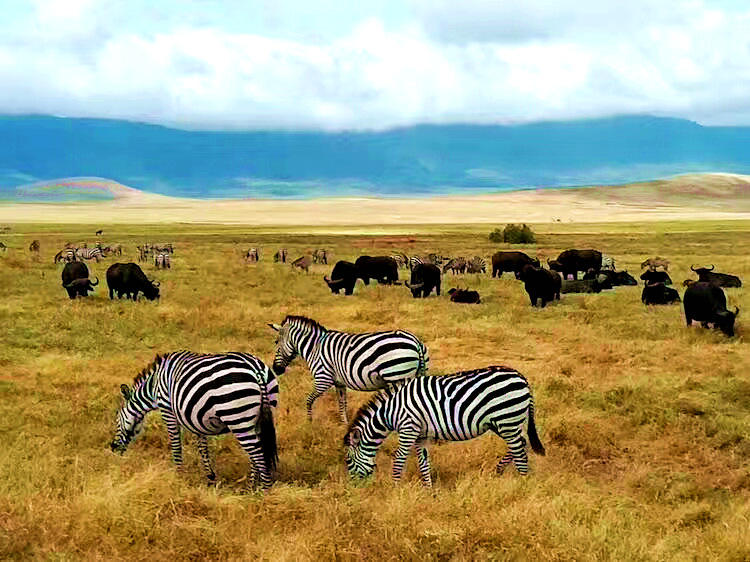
(207, 395)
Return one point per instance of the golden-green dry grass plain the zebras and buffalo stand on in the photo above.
(646, 422)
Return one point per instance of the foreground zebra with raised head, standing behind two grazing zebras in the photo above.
(368, 361)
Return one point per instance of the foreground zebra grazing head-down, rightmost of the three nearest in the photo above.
(453, 407)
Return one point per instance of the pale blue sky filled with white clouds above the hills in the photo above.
(327, 64)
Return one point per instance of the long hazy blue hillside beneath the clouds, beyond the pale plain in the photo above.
(422, 160)
